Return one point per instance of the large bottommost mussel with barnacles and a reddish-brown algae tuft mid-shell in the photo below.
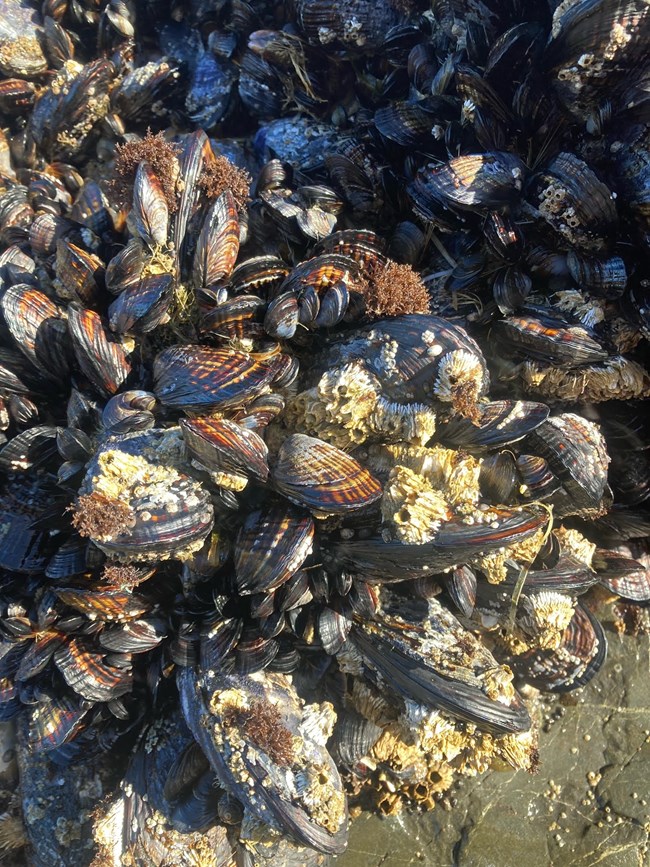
(230, 717)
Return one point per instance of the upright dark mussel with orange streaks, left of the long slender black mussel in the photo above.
(271, 546)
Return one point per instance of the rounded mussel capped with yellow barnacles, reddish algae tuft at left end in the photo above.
(160, 511)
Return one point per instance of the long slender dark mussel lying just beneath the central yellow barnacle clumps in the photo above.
(456, 542)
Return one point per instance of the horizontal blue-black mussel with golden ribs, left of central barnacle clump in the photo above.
(196, 377)
